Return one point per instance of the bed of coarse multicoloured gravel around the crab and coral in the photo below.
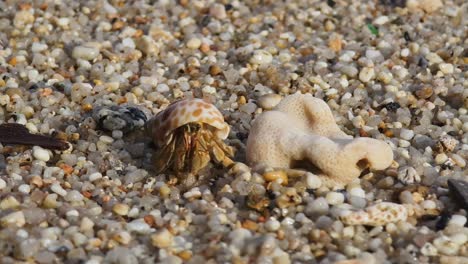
(390, 70)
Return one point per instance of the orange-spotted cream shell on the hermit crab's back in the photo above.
(183, 112)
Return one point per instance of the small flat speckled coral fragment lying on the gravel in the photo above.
(376, 215)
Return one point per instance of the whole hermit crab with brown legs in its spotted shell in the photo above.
(189, 134)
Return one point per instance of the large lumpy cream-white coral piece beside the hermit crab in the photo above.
(302, 128)
